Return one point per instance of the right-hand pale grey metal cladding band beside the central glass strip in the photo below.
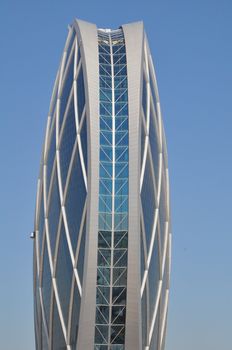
(134, 43)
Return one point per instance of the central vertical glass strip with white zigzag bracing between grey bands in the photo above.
(113, 193)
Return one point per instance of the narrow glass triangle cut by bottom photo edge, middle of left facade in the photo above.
(58, 341)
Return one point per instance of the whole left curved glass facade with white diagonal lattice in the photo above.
(62, 194)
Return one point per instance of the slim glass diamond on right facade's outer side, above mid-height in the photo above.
(155, 150)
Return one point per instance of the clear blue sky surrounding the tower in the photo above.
(192, 48)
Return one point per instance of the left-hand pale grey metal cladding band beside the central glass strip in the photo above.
(88, 33)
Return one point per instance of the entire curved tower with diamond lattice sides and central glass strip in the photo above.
(102, 226)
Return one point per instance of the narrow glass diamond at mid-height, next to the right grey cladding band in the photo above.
(148, 206)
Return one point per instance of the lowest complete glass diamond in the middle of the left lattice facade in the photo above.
(64, 273)
